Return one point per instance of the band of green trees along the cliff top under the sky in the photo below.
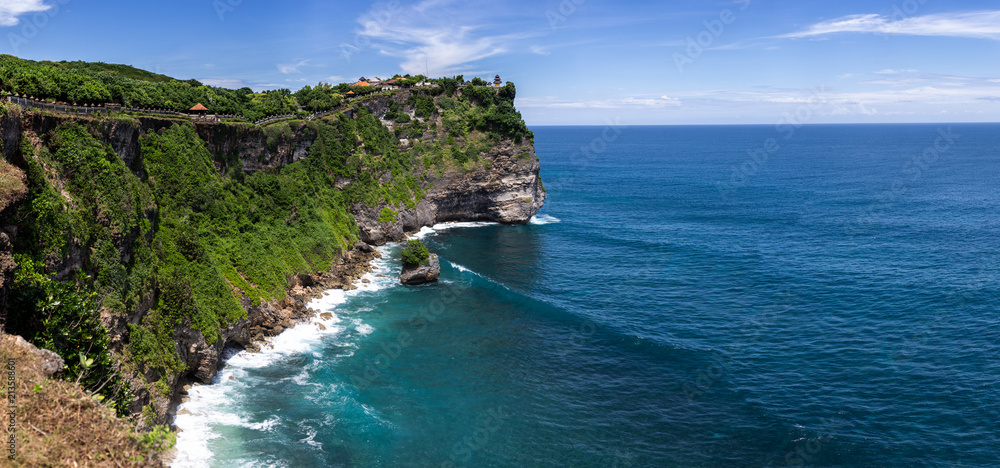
(100, 83)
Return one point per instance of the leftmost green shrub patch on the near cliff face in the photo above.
(95, 204)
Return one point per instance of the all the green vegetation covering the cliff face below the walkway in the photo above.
(184, 237)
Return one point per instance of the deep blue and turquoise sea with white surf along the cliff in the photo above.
(718, 296)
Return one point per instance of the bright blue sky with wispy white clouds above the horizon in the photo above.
(574, 62)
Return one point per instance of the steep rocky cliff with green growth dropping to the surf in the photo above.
(186, 238)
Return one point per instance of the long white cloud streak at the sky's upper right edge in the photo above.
(979, 24)
